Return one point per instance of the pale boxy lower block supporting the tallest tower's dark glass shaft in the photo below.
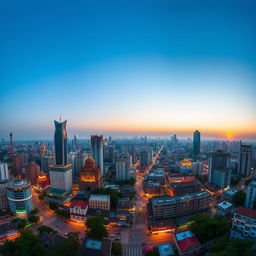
(61, 177)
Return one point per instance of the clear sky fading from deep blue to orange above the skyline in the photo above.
(126, 68)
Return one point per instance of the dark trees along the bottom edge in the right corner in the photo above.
(235, 247)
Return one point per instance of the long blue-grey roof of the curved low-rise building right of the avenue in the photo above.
(165, 200)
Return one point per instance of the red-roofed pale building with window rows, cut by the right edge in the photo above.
(244, 224)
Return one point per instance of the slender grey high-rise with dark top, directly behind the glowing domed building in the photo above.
(97, 151)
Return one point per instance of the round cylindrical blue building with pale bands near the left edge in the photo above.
(19, 196)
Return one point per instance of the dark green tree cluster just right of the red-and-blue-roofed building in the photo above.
(206, 228)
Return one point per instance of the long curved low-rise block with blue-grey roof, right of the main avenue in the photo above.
(171, 207)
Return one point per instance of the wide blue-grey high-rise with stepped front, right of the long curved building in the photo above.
(219, 169)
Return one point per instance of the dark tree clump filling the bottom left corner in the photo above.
(26, 245)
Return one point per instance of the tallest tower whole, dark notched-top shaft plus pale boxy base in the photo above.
(61, 172)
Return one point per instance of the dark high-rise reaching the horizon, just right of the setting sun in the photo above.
(245, 160)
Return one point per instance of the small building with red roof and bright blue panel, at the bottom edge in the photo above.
(186, 243)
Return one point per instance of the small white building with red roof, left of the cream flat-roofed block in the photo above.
(78, 210)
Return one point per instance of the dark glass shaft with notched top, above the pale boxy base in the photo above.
(60, 143)
